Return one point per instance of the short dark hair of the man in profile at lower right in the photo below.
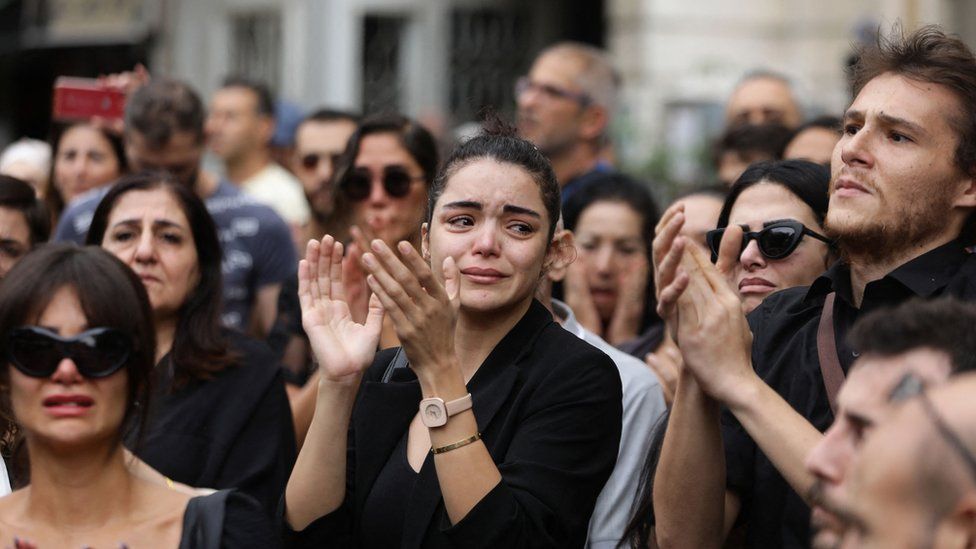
(945, 324)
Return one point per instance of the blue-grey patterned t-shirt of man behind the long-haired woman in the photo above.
(256, 243)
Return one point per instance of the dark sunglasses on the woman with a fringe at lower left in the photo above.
(36, 352)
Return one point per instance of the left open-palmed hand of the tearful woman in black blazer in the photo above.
(343, 347)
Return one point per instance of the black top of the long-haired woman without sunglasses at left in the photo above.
(233, 431)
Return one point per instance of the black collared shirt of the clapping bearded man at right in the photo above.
(784, 354)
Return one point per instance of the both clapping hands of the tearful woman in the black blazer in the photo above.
(423, 310)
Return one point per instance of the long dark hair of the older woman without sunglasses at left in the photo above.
(200, 349)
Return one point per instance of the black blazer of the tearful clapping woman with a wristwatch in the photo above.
(548, 406)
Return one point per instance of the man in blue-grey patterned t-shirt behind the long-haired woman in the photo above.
(164, 122)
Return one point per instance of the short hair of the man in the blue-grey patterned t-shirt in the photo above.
(162, 108)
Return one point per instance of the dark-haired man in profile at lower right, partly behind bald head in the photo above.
(905, 348)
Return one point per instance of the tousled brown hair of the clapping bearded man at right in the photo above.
(929, 55)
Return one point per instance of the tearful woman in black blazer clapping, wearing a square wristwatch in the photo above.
(493, 427)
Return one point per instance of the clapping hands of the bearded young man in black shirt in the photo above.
(703, 312)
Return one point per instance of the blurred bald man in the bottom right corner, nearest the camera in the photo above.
(913, 484)
